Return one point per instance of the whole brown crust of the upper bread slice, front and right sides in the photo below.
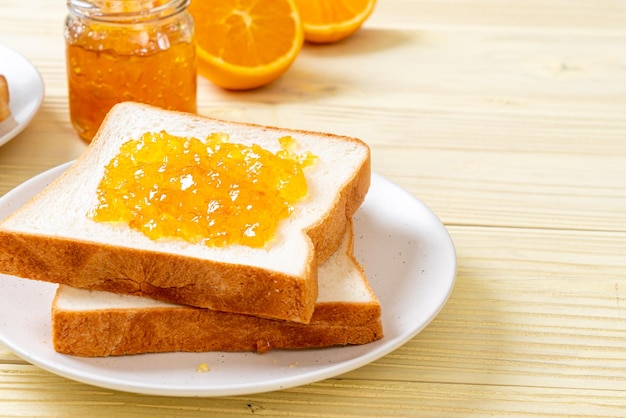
(237, 288)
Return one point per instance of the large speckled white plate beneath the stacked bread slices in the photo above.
(408, 257)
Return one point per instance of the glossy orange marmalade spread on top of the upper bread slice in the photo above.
(214, 191)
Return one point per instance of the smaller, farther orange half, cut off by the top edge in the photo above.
(327, 21)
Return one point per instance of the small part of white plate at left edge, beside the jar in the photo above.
(26, 92)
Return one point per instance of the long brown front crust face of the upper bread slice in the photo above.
(167, 277)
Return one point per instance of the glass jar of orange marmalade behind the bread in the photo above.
(128, 50)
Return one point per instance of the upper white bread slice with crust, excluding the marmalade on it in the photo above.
(52, 239)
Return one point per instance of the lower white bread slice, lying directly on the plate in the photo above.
(95, 323)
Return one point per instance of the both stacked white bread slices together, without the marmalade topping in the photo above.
(121, 292)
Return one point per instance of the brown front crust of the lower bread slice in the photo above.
(116, 332)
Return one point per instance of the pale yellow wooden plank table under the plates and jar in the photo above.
(508, 119)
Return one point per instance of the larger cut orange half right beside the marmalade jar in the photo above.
(244, 44)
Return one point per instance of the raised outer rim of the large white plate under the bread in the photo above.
(378, 350)
